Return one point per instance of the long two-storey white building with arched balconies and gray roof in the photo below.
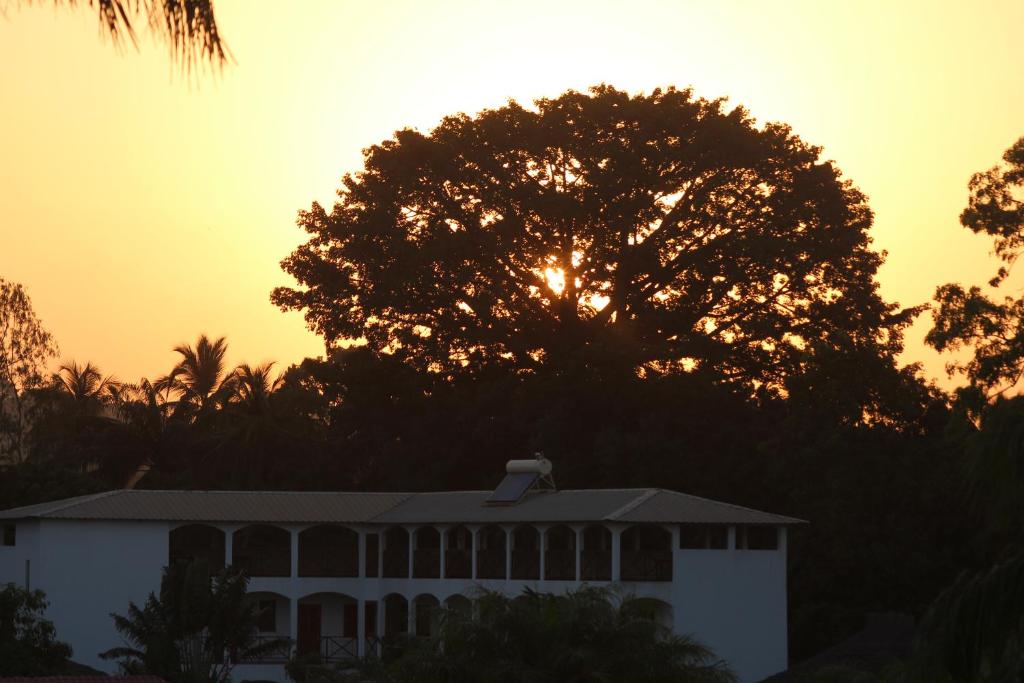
(339, 571)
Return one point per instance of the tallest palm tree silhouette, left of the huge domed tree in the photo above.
(199, 379)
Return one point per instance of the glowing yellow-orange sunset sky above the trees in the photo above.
(142, 207)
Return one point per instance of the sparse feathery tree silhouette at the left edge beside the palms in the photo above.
(25, 349)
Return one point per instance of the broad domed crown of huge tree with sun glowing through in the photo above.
(653, 233)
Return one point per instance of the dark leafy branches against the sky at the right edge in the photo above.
(993, 330)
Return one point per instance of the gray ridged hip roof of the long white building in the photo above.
(625, 505)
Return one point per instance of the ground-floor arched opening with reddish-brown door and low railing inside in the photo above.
(328, 627)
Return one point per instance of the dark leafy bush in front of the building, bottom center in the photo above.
(589, 635)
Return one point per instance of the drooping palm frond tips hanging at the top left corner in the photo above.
(189, 27)
